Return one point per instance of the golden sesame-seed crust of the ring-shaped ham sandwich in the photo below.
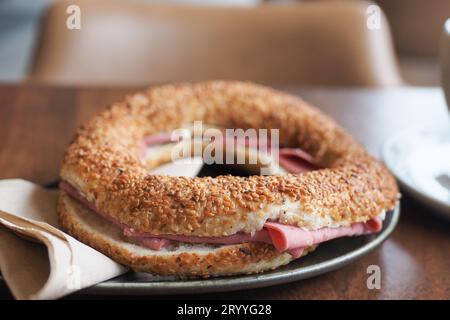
(103, 163)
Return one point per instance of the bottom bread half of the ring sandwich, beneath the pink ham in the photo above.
(224, 260)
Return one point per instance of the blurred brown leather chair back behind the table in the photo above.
(126, 43)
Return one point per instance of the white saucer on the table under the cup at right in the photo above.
(420, 159)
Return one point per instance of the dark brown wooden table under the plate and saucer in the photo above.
(36, 124)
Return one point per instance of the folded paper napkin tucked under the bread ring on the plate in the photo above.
(37, 259)
